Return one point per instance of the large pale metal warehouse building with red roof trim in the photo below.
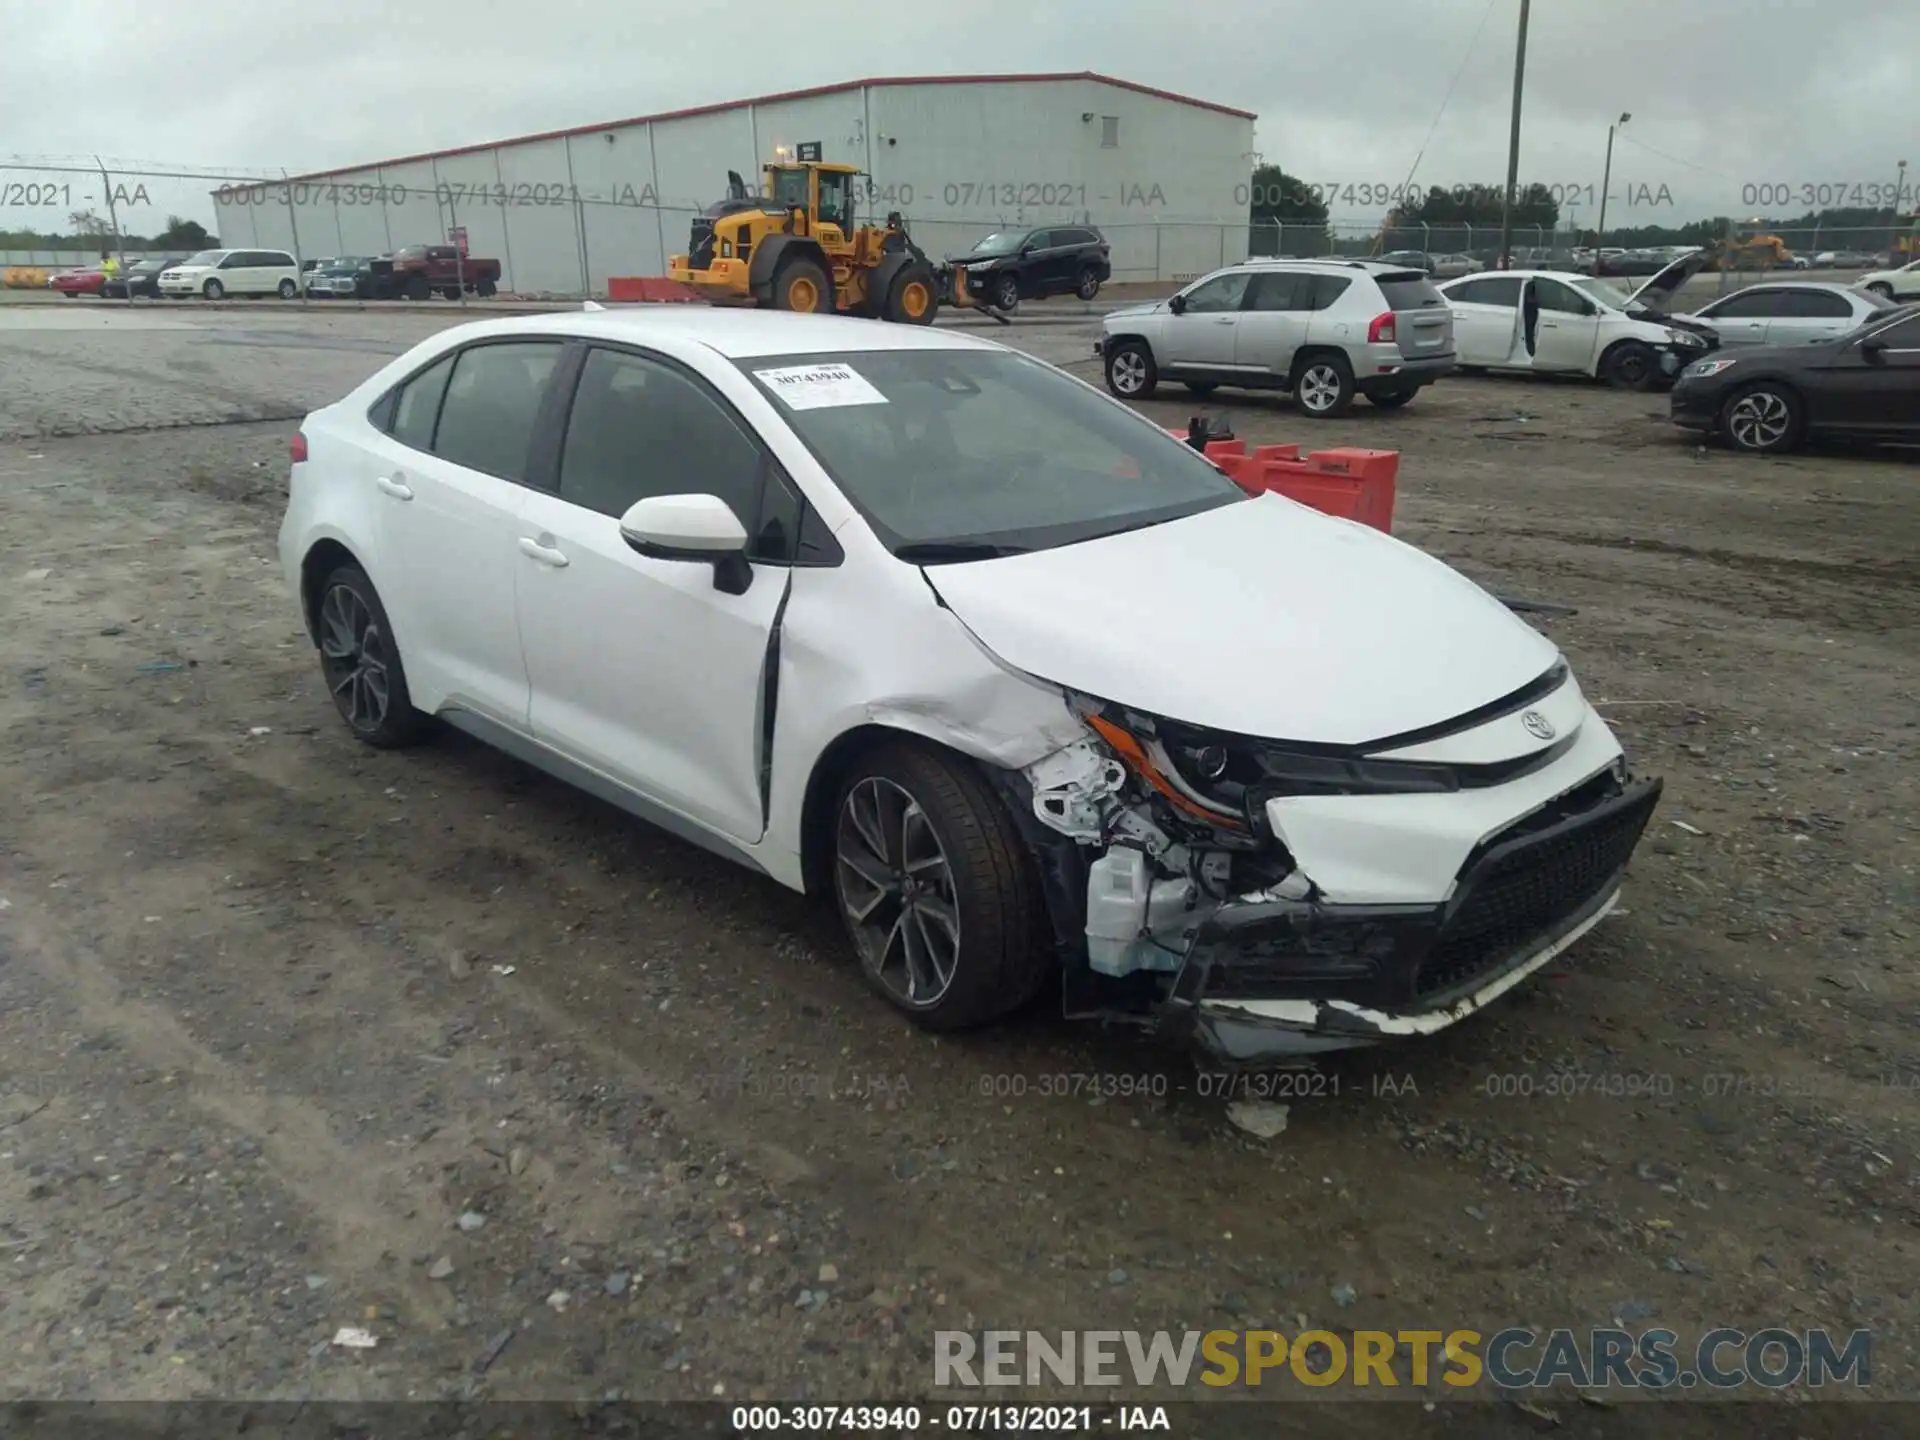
(1166, 178)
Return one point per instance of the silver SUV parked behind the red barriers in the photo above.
(1322, 329)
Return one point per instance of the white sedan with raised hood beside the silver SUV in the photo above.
(1558, 322)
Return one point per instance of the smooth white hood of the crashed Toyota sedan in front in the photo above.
(1264, 619)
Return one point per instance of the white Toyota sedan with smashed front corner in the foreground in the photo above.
(930, 629)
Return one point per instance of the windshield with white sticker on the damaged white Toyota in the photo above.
(959, 454)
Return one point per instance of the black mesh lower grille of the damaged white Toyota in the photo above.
(1529, 890)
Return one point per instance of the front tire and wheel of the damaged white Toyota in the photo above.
(936, 890)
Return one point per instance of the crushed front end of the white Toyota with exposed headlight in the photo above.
(1270, 900)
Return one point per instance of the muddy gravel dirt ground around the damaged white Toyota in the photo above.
(299, 1036)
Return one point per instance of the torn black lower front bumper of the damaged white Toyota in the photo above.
(1266, 980)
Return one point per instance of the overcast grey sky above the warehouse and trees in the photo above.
(1727, 95)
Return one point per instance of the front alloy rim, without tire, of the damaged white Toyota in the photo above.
(898, 892)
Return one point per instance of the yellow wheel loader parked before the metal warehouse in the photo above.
(798, 247)
